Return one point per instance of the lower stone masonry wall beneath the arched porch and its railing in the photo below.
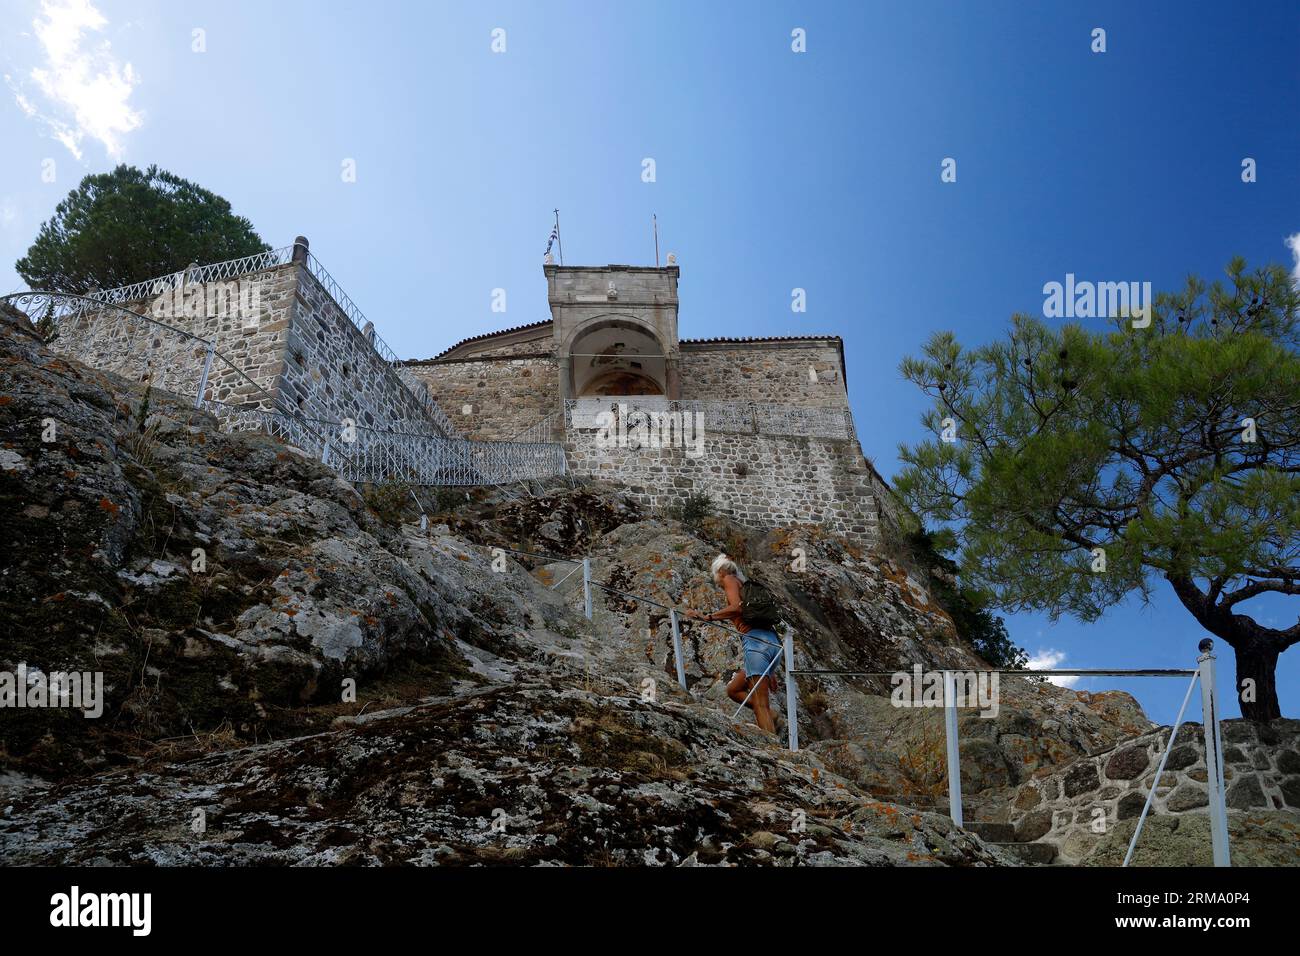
(761, 481)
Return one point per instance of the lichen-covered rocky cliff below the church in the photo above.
(233, 592)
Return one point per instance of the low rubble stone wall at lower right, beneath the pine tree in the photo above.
(1262, 769)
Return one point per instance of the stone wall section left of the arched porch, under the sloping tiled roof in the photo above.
(504, 396)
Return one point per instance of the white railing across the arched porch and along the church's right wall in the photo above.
(736, 418)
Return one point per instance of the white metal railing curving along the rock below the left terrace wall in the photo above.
(107, 336)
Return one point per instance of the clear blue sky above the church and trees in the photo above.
(773, 170)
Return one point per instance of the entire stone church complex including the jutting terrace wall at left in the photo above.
(761, 426)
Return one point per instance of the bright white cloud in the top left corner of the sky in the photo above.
(86, 92)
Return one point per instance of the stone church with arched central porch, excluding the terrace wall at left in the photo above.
(779, 444)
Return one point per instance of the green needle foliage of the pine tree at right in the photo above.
(1132, 442)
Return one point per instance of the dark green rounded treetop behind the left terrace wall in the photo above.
(129, 226)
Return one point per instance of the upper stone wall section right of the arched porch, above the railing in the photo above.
(777, 373)
